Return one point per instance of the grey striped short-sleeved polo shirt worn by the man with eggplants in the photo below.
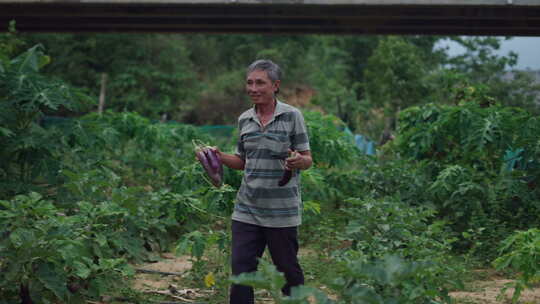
(260, 201)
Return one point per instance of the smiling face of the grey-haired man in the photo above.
(260, 88)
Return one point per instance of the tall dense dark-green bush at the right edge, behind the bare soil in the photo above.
(468, 148)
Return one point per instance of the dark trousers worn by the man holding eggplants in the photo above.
(248, 243)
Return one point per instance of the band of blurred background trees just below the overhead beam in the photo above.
(364, 80)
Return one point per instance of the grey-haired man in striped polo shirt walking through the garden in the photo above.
(273, 139)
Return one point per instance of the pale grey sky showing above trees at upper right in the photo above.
(527, 48)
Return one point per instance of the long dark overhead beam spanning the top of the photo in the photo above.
(402, 17)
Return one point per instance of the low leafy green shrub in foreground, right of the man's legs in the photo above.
(385, 229)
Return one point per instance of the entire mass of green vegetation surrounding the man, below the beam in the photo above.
(461, 173)
